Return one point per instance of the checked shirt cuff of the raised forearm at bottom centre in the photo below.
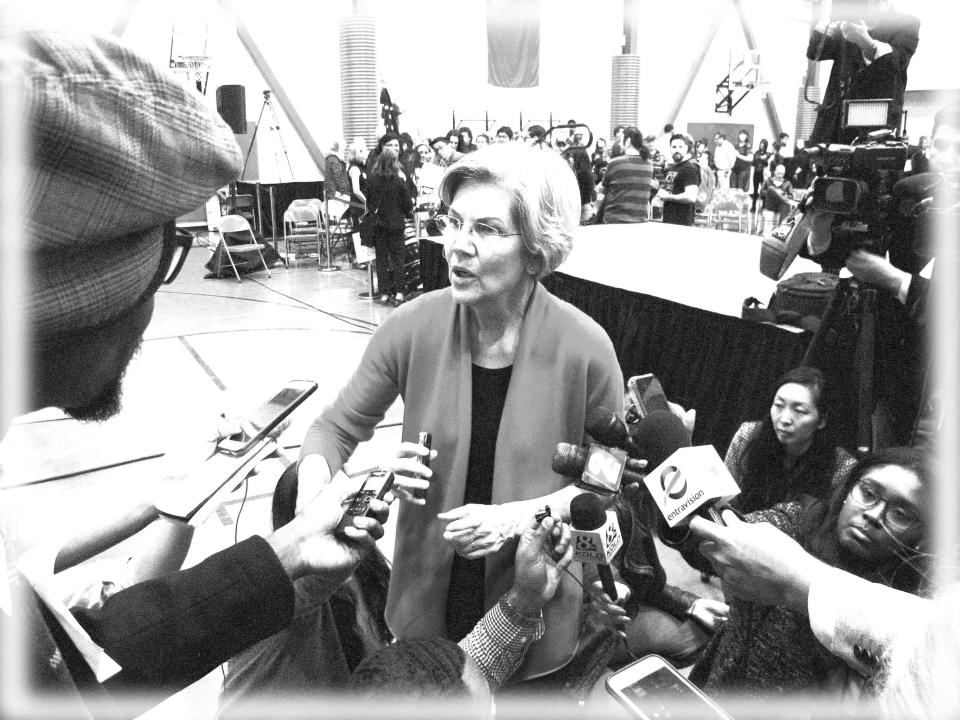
(500, 641)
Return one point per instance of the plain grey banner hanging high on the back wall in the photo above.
(513, 43)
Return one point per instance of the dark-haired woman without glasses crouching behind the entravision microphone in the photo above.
(789, 452)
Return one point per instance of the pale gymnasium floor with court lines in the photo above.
(214, 345)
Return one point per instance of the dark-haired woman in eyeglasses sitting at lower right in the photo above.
(875, 525)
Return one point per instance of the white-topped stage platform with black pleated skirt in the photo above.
(669, 297)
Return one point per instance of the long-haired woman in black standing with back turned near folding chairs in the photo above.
(388, 198)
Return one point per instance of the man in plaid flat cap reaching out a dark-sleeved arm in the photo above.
(120, 149)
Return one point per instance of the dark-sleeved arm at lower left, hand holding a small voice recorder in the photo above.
(169, 632)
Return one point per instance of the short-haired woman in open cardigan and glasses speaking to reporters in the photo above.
(499, 371)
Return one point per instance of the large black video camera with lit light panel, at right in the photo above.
(855, 184)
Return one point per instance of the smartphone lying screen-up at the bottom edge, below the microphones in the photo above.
(652, 689)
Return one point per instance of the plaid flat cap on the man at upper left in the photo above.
(120, 147)
